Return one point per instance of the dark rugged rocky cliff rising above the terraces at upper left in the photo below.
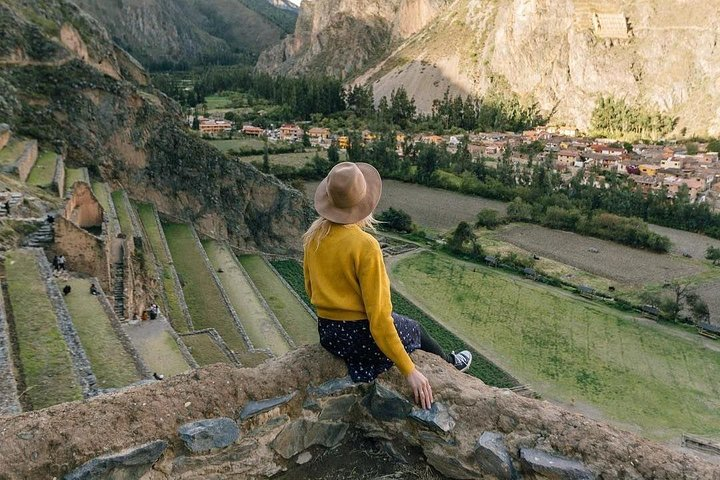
(64, 83)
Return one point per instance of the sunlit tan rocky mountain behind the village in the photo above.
(562, 54)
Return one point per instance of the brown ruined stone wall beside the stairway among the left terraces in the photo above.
(83, 251)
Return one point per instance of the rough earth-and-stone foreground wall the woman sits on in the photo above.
(260, 427)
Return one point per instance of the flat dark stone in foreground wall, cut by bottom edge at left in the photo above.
(128, 464)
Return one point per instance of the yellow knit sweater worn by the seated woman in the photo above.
(345, 279)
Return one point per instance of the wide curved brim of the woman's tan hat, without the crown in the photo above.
(361, 210)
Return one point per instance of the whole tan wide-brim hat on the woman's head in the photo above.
(349, 193)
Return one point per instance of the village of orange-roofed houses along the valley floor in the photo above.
(652, 167)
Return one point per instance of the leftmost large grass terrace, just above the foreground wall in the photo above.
(44, 358)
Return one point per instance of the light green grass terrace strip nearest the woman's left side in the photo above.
(291, 313)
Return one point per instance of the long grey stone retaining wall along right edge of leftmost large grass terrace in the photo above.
(80, 362)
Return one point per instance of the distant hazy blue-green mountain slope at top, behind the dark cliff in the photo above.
(165, 34)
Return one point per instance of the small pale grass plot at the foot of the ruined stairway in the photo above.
(157, 347)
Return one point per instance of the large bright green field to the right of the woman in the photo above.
(571, 350)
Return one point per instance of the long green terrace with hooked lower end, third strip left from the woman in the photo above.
(203, 298)
